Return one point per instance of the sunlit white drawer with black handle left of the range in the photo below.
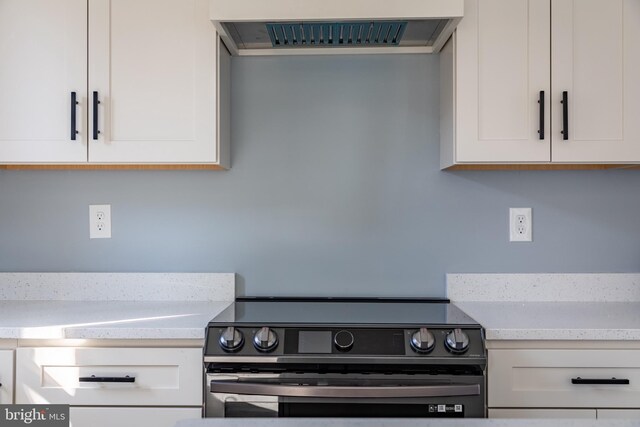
(109, 376)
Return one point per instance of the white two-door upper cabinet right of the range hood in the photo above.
(511, 64)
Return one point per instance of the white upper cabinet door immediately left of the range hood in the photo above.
(153, 70)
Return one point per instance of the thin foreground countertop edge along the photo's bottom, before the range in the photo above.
(405, 422)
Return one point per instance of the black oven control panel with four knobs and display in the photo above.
(400, 342)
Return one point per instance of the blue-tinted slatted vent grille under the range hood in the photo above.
(336, 34)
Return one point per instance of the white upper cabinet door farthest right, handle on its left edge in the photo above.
(596, 61)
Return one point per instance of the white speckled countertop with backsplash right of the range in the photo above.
(551, 306)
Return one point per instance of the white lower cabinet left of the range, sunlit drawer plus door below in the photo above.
(141, 387)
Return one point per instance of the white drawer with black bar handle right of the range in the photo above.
(544, 378)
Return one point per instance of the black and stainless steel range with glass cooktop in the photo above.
(298, 357)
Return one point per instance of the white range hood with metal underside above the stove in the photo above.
(304, 27)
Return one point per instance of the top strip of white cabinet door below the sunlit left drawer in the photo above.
(130, 417)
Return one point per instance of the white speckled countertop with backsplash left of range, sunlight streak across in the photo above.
(126, 306)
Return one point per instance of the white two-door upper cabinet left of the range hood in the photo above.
(151, 77)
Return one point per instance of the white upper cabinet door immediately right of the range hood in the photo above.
(503, 62)
